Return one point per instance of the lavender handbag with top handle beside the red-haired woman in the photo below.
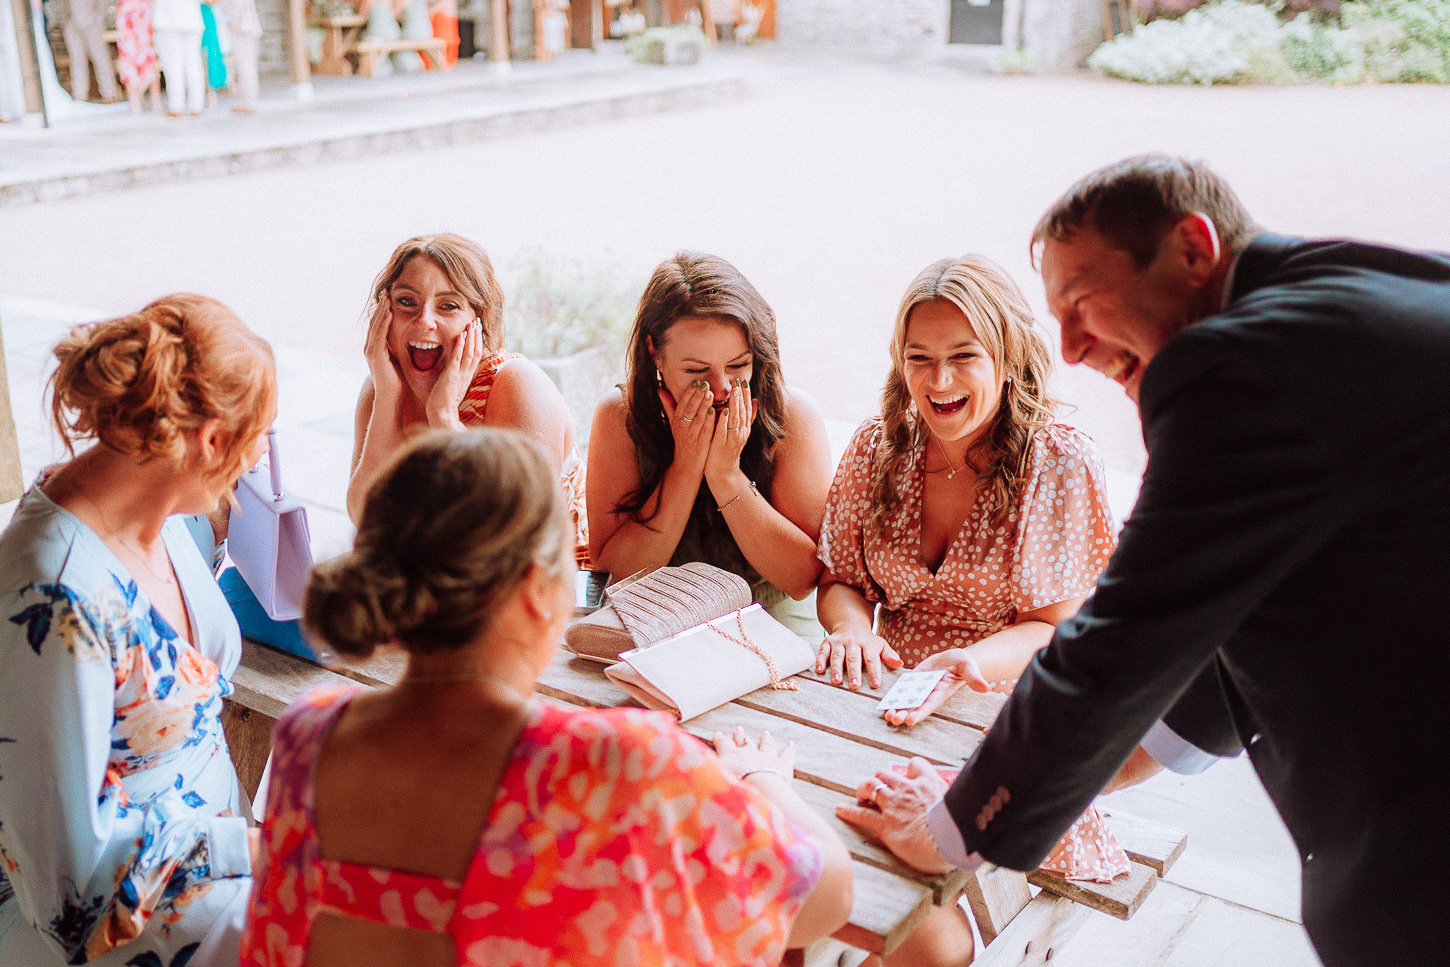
(269, 539)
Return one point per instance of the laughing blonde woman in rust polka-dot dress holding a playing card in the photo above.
(971, 521)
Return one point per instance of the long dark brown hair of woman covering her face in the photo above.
(685, 286)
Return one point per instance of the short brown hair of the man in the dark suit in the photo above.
(1136, 202)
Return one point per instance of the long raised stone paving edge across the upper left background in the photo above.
(105, 147)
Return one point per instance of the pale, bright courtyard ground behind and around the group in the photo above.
(829, 183)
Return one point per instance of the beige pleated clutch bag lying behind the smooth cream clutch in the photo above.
(655, 605)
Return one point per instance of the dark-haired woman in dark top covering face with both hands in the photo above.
(704, 455)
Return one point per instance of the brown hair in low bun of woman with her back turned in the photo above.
(449, 528)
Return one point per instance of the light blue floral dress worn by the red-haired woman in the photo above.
(123, 840)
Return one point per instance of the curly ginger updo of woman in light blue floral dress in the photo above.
(140, 383)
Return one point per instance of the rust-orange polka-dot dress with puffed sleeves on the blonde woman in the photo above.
(1049, 549)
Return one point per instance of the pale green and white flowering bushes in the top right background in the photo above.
(1236, 43)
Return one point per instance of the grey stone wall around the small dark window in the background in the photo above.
(1056, 34)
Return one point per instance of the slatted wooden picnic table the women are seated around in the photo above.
(840, 742)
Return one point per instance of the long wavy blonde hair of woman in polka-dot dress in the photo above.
(1003, 323)
